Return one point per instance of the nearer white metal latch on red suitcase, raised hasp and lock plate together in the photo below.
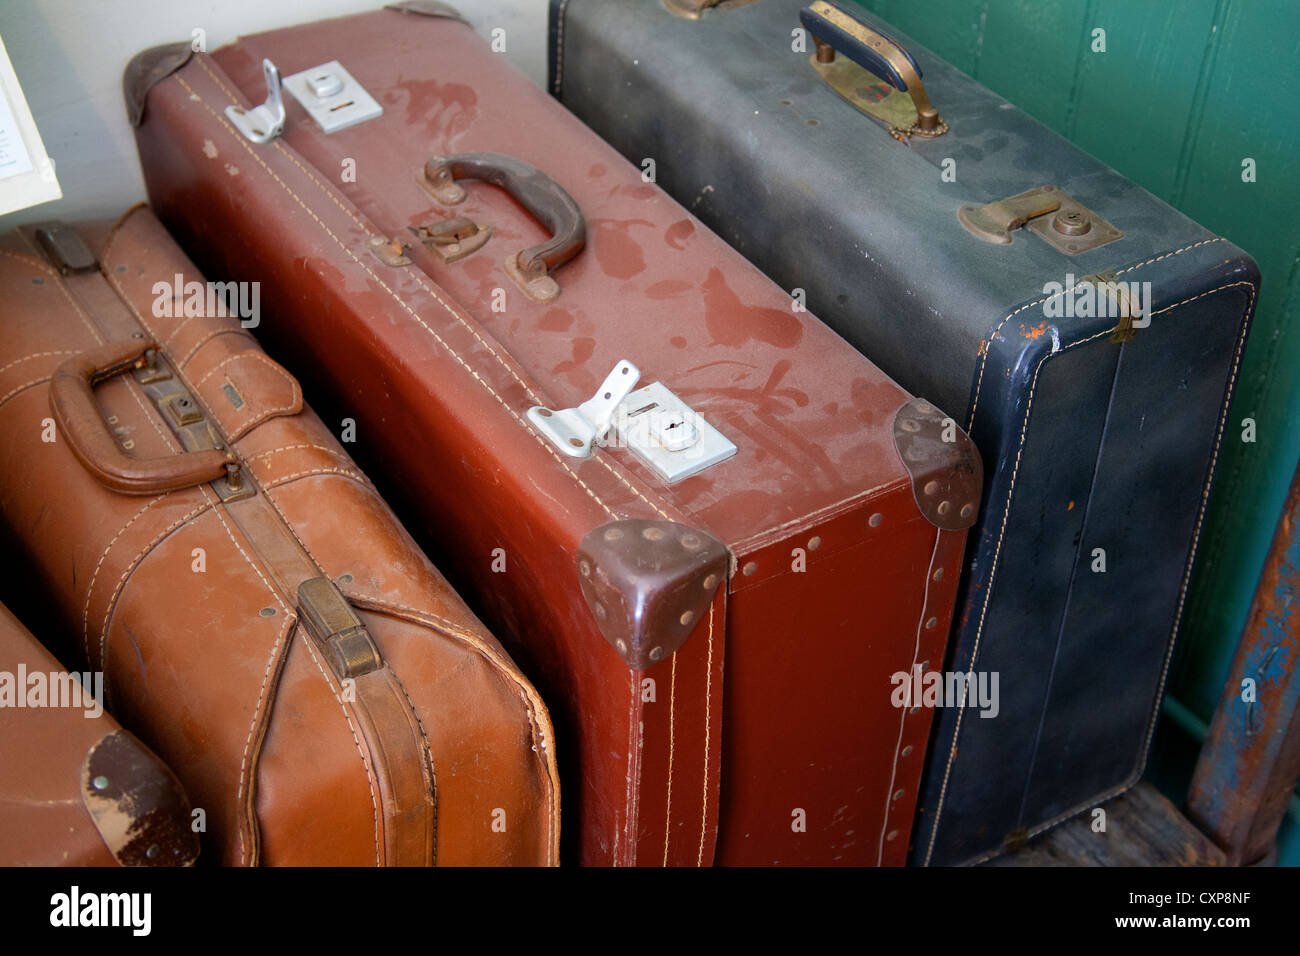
(661, 430)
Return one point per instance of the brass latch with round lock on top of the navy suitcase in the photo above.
(1072, 230)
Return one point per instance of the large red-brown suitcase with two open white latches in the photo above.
(718, 648)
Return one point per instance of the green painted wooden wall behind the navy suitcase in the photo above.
(1184, 94)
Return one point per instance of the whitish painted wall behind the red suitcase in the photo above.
(70, 57)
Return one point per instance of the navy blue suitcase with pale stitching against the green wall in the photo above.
(1090, 332)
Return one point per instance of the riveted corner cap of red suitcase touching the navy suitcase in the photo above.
(946, 470)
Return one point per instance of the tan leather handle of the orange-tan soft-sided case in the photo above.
(72, 400)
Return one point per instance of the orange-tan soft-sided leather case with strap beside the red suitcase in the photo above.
(262, 620)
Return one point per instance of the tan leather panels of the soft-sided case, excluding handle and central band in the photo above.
(190, 661)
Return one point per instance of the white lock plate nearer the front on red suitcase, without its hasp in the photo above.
(652, 422)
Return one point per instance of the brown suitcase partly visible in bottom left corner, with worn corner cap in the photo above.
(77, 790)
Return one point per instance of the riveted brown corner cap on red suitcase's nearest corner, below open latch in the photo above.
(648, 585)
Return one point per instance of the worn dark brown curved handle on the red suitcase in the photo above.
(538, 193)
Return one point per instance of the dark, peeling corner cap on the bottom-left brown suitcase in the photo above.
(137, 804)
